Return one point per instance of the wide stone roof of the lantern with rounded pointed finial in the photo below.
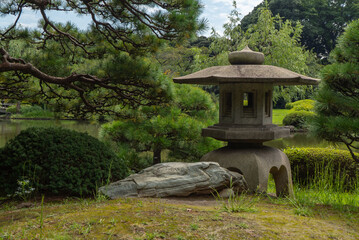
(246, 67)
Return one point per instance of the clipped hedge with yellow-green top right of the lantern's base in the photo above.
(306, 163)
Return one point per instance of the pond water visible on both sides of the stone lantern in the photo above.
(10, 128)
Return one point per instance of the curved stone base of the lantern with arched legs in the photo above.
(256, 163)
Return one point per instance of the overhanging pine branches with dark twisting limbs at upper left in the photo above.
(93, 70)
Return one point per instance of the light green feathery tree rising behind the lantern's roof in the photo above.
(280, 45)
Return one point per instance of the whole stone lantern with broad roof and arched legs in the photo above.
(245, 118)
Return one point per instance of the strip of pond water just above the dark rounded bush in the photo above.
(10, 128)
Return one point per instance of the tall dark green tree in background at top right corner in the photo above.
(323, 20)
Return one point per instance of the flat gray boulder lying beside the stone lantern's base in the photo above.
(176, 179)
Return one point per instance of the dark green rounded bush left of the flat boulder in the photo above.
(58, 161)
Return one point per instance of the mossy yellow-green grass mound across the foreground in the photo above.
(174, 218)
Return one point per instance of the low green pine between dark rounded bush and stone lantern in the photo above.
(176, 127)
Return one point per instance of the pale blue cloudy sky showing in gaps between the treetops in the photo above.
(215, 11)
